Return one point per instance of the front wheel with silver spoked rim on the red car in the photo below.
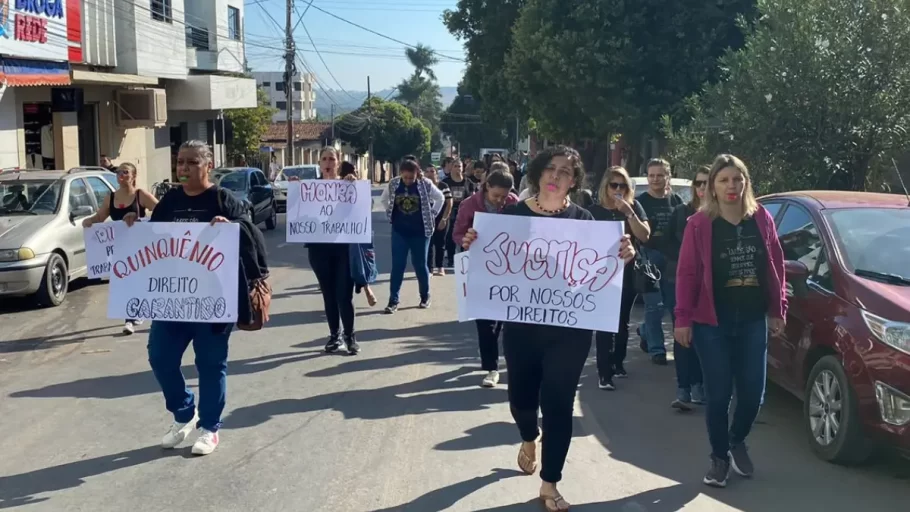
(831, 414)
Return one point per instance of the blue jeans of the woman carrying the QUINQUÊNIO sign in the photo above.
(167, 343)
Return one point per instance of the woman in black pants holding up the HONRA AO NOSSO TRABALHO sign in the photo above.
(332, 266)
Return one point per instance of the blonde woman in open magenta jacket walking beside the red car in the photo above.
(730, 291)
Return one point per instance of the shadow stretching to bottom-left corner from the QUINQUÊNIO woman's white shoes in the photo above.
(22, 489)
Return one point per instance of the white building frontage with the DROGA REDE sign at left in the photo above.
(129, 79)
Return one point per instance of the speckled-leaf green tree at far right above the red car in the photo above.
(818, 98)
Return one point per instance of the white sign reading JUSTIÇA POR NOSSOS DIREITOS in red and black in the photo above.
(544, 271)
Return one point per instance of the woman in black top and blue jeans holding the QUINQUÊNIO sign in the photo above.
(199, 200)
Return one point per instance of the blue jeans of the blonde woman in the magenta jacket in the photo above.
(733, 354)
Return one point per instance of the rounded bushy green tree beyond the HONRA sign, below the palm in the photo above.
(394, 131)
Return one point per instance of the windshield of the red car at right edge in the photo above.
(874, 240)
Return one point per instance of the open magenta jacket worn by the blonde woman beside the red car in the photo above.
(694, 280)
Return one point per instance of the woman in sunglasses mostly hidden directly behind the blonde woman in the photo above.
(689, 388)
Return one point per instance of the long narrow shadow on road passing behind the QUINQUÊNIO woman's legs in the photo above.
(142, 383)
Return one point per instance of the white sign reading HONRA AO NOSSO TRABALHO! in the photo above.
(329, 211)
